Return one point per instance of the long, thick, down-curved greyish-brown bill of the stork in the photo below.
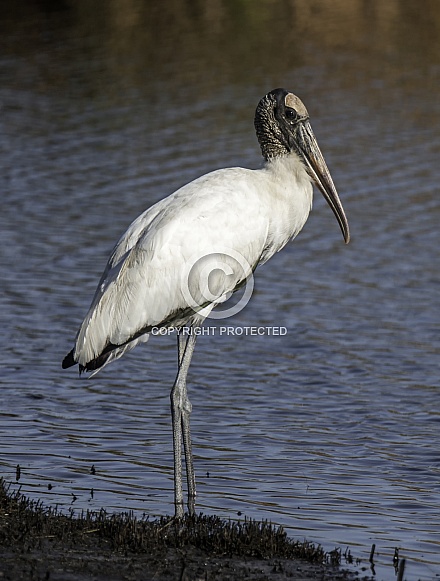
(309, 150)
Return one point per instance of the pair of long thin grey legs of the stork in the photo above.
(180, 412)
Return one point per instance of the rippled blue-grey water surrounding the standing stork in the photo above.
(332, 429)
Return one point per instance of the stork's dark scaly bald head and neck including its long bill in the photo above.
(283, 127)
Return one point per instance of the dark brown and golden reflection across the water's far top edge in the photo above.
(94, 49)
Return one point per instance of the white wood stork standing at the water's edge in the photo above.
(205, 225)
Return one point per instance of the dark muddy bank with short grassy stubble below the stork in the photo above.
(40, 543)
